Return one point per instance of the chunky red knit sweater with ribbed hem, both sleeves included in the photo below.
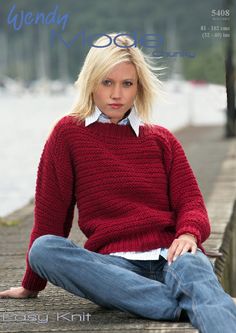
(133, 193)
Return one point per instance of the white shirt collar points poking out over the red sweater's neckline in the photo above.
(133, 119)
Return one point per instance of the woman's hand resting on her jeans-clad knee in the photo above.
(181, 245)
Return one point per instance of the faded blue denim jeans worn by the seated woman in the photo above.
(146, 288)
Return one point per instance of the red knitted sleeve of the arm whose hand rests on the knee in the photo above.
(185, 196)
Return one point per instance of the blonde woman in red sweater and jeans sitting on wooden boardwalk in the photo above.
(139, 203)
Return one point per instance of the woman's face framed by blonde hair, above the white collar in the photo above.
(116, 93)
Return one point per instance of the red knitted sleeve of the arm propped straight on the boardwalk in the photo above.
(54, 198)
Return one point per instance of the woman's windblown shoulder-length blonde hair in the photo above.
(100, 60)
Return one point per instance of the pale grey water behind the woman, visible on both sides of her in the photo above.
(27, 119)
